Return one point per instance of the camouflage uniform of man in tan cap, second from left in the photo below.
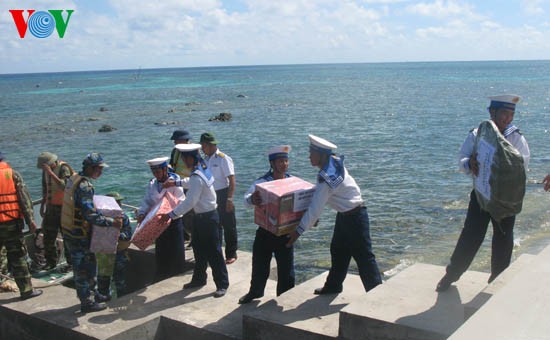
(51, 224)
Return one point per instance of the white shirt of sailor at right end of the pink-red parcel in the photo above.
(200, 197)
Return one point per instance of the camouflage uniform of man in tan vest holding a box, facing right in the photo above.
(83, 261)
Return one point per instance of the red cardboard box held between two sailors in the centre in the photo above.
(284, 201)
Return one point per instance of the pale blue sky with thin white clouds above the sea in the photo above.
(132, 34)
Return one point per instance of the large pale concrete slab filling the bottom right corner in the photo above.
(518, 310)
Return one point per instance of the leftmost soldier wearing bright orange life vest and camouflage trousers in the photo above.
(15, 211)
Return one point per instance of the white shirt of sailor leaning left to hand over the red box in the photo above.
(345, 197)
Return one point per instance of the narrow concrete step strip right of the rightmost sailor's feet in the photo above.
(473, 306)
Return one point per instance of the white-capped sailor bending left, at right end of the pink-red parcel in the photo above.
(201, 197)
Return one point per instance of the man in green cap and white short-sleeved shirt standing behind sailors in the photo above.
(221, 166)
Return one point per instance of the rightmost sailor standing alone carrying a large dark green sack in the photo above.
(501, 110)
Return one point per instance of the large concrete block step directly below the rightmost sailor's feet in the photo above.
(407, 306)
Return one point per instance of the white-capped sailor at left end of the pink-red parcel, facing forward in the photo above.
(169, 247)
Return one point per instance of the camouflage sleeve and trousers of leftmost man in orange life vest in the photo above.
(11, 236)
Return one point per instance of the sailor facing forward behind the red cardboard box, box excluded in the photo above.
(266, 243)
